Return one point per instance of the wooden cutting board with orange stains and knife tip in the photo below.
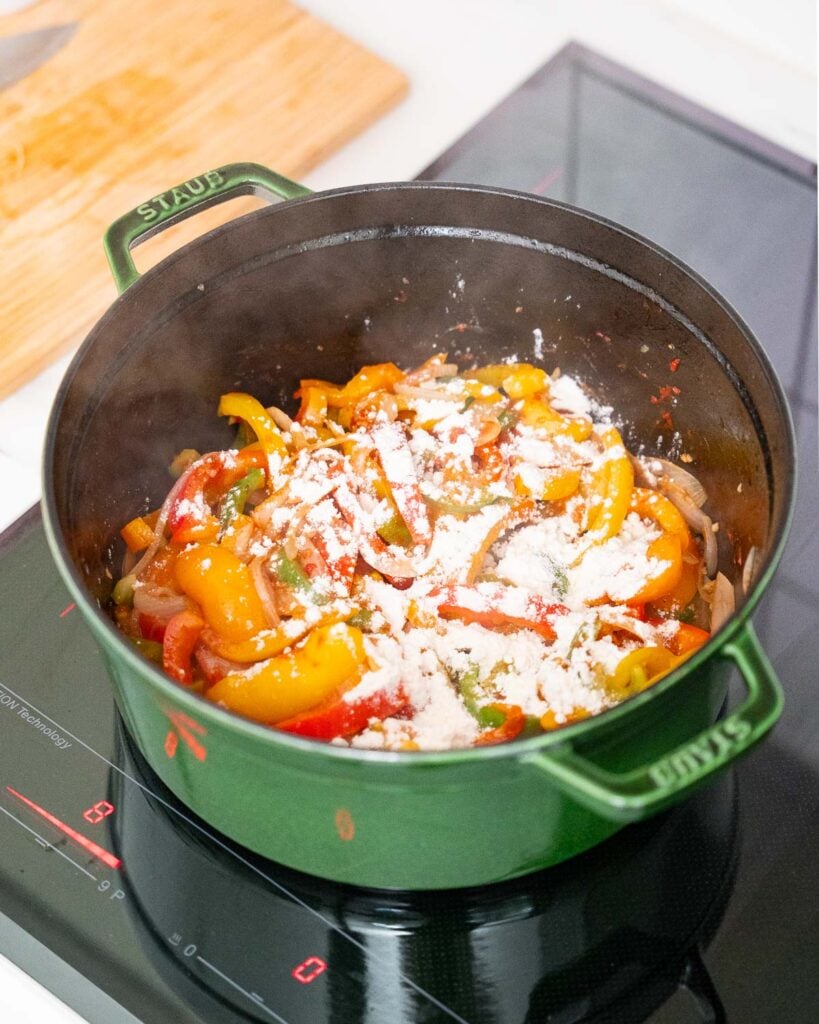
(147, 95)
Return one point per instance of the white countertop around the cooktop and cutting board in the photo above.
(751, 61)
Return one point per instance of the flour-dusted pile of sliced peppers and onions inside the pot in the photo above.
(420, 561)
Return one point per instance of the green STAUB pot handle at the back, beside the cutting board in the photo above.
(184, 201)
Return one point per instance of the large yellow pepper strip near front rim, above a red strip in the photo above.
(292, 684)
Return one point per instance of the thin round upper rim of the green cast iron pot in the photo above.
(521, 750)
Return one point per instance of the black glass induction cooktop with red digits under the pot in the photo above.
(133, 911)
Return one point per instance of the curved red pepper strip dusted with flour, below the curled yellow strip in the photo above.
(191, 519)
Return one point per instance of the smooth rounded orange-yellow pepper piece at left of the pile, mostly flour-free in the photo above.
(223, 585)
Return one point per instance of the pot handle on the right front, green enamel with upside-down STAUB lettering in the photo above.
(637, 794)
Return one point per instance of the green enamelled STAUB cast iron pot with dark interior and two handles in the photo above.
(317, 287)
